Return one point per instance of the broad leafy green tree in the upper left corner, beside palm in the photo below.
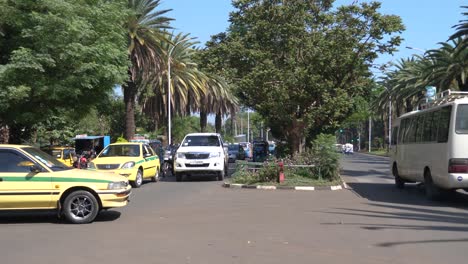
(56, 57)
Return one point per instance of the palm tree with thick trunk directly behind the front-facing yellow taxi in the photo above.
(146, 31)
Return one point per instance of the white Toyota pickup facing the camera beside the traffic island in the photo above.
(201, 154)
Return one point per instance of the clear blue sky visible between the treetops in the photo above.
(427, 22)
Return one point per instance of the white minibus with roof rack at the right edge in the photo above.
(431, 145)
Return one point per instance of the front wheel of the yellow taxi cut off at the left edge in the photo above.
(80, 207)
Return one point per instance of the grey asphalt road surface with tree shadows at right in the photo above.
(198, 221)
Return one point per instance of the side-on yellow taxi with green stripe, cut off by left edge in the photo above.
(32, 179)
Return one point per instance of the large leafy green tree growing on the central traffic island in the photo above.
(299, 63)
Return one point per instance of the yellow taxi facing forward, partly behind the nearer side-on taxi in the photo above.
(135, 161)
